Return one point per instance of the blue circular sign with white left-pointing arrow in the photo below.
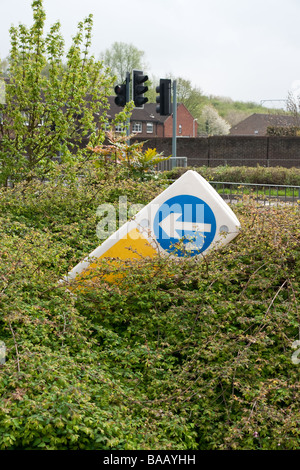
(184, 225)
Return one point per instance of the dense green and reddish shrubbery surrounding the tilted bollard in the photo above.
(191, 355)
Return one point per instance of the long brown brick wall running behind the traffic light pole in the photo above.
(233, 150)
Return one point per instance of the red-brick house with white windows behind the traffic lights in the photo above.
(146, 122)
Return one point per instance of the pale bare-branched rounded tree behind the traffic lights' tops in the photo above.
(121, 58)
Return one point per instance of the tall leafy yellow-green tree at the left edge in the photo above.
(58, 113)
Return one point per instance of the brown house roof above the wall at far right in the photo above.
(257, 124)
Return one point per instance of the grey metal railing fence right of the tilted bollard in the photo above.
(268, 194)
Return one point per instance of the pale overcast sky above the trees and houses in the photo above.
(246, 50)
